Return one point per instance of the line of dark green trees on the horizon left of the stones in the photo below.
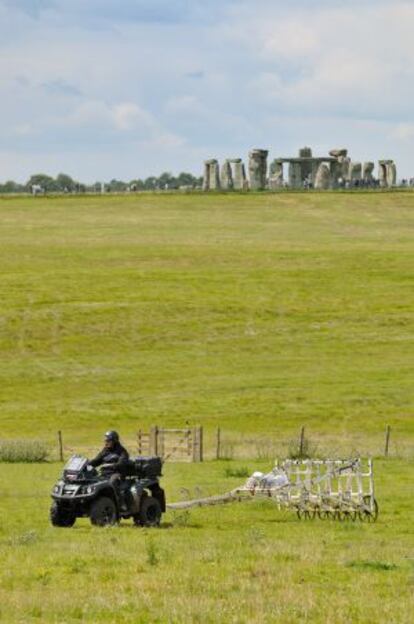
(64, 183)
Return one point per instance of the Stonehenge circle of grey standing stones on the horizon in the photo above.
(337, 170)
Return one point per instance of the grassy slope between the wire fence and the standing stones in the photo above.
(258, 312)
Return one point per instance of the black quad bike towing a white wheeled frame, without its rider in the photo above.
(85, 491)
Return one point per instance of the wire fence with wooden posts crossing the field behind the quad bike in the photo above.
(222, 444)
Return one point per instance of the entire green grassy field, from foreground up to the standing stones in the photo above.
(259, 313)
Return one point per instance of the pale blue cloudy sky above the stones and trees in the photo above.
(129, 88)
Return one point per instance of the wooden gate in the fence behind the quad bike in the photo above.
(172, 444)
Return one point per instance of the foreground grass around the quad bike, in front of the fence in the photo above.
(244, 563)
